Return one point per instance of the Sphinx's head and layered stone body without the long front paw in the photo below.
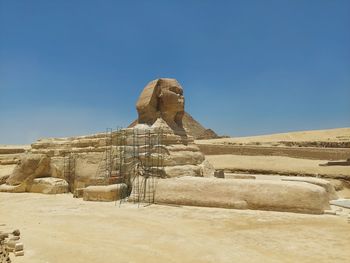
(157, 139)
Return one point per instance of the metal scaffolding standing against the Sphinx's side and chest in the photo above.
(134, 157)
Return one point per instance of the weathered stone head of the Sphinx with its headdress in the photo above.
(162, 98)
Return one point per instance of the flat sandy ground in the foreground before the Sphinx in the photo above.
(60, 229)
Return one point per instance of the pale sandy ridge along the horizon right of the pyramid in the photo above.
(333, 135)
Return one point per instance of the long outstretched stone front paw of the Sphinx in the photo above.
(258, 194)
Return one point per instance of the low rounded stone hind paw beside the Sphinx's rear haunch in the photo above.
(49, 185)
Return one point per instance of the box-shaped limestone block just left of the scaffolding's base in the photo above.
(105, 193)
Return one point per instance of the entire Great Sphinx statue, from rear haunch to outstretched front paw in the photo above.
(154, 160)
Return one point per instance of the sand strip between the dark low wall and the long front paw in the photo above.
(277, 164)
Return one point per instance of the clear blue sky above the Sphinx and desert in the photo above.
(247, 67)
